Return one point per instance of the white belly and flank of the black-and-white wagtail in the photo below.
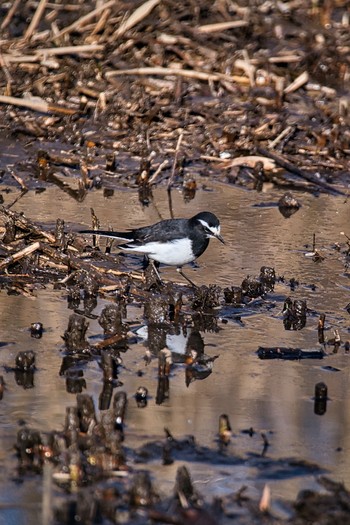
(177, 253)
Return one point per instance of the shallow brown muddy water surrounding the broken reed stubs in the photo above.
(274, 397)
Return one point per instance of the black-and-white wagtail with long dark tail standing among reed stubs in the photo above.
(174, 242)
